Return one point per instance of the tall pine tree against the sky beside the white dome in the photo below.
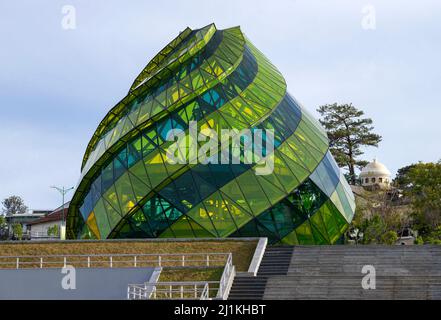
(348, 132)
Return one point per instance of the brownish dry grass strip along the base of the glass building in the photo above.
(242, 250)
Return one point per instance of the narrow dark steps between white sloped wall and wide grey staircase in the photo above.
(275, 261)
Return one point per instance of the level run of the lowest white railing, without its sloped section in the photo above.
(184, 290)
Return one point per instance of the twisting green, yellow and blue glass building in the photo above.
(129, 189)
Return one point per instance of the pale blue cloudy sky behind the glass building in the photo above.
(57, 84)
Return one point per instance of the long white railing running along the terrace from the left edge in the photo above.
(115, 260)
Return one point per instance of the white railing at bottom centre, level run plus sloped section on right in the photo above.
(186, 290)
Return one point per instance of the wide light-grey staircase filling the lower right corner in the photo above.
(334, 272)
